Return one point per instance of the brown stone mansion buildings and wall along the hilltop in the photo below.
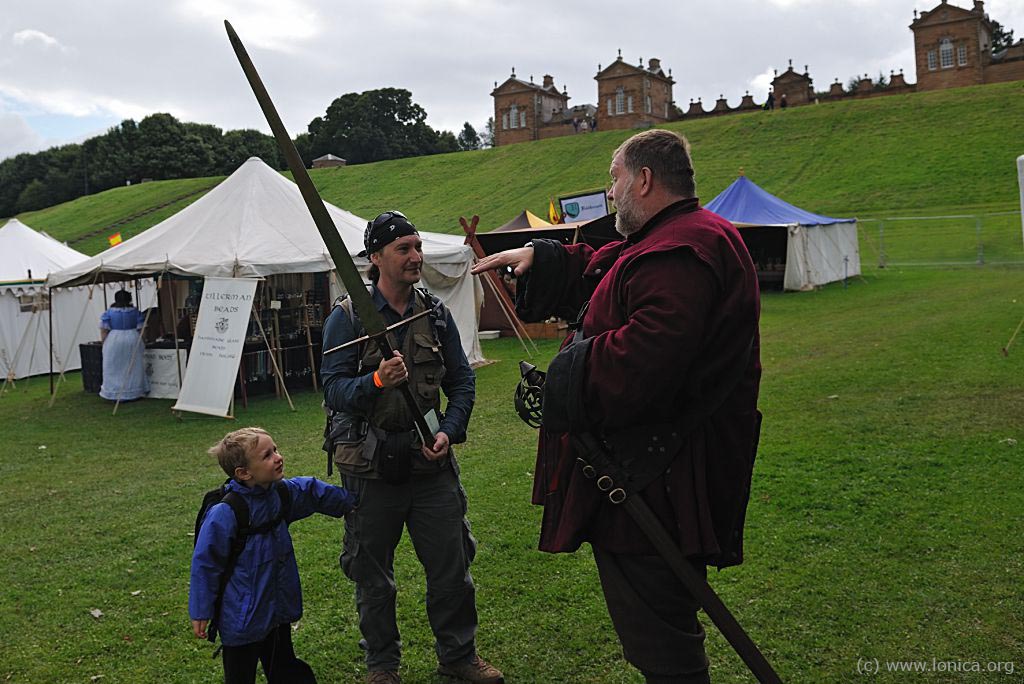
(953, 49)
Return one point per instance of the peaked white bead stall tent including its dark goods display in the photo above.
(257, 226)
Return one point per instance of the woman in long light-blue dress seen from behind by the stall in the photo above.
(124, 363)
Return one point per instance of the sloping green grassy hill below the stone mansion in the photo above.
(941, 152)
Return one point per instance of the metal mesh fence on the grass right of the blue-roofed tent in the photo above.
(943, 241)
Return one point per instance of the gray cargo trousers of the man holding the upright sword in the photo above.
(434, 508)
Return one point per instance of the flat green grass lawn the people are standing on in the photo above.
(884, 522)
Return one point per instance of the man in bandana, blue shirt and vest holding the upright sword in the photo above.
(399, 481)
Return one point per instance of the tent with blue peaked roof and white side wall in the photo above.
(788, 244)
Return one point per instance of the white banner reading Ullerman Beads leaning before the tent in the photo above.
(217, 349)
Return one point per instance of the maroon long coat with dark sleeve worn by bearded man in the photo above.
(672, 310)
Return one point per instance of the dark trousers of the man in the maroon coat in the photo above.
(656, 618)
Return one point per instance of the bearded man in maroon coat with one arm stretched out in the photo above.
(670, 336)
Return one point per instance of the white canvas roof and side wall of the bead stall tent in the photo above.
(255, 224)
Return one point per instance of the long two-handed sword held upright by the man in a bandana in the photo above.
(371, 319)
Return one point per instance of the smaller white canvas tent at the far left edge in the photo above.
(26, 260)
